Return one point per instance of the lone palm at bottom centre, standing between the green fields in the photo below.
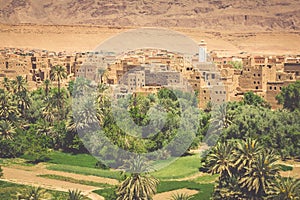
(139, 185)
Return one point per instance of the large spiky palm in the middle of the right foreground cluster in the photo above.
(260, 175)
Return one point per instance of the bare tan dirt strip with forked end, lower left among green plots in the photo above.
(29, 177)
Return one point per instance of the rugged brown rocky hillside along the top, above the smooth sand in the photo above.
(209, 14)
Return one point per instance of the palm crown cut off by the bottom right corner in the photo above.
(285, 189)
